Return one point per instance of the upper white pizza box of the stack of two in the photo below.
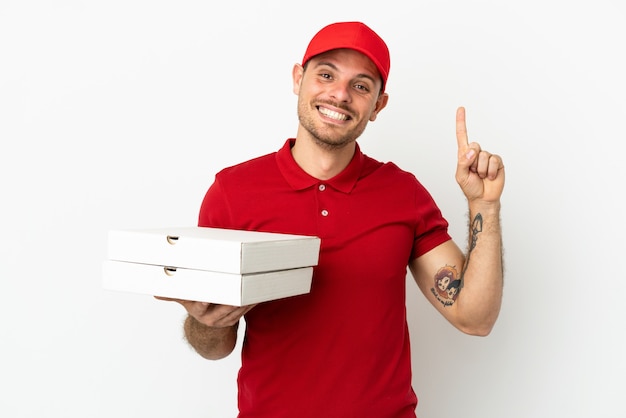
(214, 249)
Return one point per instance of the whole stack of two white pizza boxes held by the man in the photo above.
(209, 264)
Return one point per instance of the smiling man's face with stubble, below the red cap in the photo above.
(337, 95)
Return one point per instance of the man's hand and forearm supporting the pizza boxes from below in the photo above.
(211, 329)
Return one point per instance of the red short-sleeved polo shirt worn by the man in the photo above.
(342, 350)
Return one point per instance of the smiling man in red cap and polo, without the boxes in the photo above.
(343, 350)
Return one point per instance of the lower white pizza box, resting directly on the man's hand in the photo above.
(206, 286)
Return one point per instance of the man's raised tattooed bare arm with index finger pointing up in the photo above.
(467, 288)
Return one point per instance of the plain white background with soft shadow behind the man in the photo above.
(118, 114)
